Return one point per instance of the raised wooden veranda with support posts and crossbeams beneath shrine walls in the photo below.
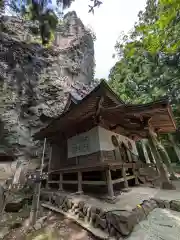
(110, 175)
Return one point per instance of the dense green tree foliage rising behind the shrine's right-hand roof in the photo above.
(142, 73)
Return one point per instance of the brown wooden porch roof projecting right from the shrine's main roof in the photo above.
(138, 118)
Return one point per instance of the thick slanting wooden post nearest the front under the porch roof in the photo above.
(165, 181)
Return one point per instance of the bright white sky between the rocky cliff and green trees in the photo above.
(108, 22)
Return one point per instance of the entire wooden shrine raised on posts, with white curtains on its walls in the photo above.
(93, 141)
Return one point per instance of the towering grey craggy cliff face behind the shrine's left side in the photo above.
(35, 81)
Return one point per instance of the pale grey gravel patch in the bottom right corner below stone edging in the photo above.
(161, 224)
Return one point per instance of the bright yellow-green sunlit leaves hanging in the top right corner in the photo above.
(162, 34)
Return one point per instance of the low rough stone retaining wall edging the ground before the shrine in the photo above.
(116, 223)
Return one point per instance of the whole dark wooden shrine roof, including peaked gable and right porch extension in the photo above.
(114, 110)
